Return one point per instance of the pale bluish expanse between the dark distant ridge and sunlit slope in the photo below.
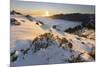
(61, 24)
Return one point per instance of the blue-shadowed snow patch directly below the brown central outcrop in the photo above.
(45, 56)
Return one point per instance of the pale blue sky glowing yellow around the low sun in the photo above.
(42, 8)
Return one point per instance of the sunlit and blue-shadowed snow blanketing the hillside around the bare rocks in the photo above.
(23, 35)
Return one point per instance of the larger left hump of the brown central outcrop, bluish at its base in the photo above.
(42, 42)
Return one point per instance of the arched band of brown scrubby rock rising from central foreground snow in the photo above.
(48, 39)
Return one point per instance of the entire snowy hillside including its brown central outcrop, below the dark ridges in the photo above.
(42, 44)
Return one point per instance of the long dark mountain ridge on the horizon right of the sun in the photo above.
(74, 17)
